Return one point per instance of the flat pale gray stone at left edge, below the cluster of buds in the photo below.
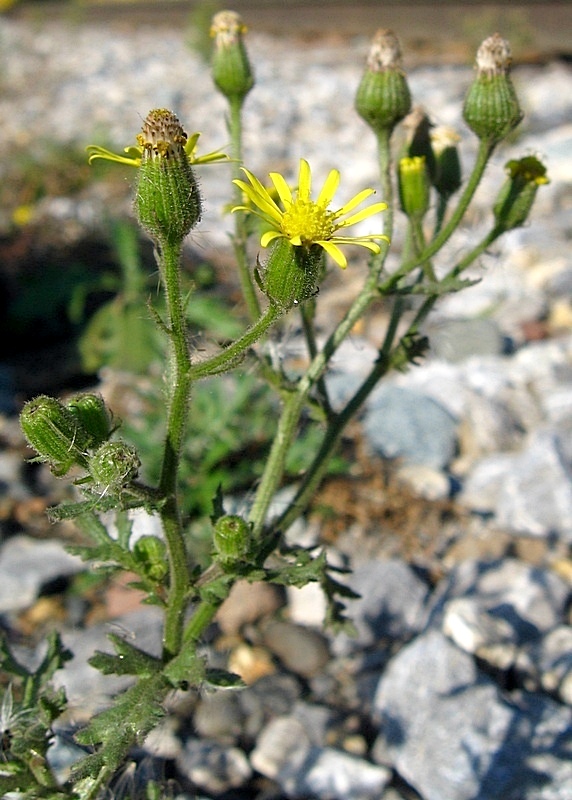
(26, 565)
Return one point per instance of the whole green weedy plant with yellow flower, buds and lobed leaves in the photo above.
(281, 261)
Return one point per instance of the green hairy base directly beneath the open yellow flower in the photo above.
(291, 273)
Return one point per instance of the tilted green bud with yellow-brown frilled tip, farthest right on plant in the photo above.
(517, 195)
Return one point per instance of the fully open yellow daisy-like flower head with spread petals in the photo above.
(305, 222)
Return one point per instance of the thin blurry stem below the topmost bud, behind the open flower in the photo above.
(240, 233)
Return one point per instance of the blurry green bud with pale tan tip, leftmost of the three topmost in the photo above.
(230, 65)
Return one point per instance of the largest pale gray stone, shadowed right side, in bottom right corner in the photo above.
(449, 732)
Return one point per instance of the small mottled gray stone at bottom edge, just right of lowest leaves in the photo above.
(212, 766)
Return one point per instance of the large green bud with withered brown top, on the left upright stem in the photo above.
(167, 200)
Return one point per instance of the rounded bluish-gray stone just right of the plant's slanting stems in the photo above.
(411, 427)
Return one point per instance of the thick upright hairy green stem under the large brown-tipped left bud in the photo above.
(180, 385)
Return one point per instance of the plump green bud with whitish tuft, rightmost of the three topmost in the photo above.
(491, 106)
